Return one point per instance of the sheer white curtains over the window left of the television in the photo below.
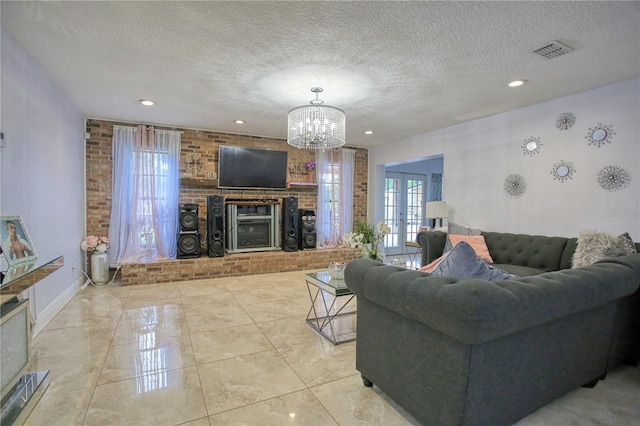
(145, 201)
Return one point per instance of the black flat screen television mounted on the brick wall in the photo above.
(251, 168)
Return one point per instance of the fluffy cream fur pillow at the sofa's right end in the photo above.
(596, 245)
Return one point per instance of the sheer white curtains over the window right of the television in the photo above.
(335, 174)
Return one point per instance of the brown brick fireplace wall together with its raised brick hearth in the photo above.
(196, 190)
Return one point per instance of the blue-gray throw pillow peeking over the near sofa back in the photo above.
(462, 262)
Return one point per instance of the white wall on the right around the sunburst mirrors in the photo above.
(478, 156)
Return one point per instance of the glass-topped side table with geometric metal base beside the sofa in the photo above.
(332, 312)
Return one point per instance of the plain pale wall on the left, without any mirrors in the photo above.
(42, 173)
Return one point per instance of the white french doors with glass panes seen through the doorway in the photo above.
(403, 209)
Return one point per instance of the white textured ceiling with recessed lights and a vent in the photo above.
(398, 68)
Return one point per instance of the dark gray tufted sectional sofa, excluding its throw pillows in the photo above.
(473, 352)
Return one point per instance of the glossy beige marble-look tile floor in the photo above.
(234, 351)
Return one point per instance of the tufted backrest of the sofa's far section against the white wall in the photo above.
(534, 251)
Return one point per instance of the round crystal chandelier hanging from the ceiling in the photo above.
(316, 126)
